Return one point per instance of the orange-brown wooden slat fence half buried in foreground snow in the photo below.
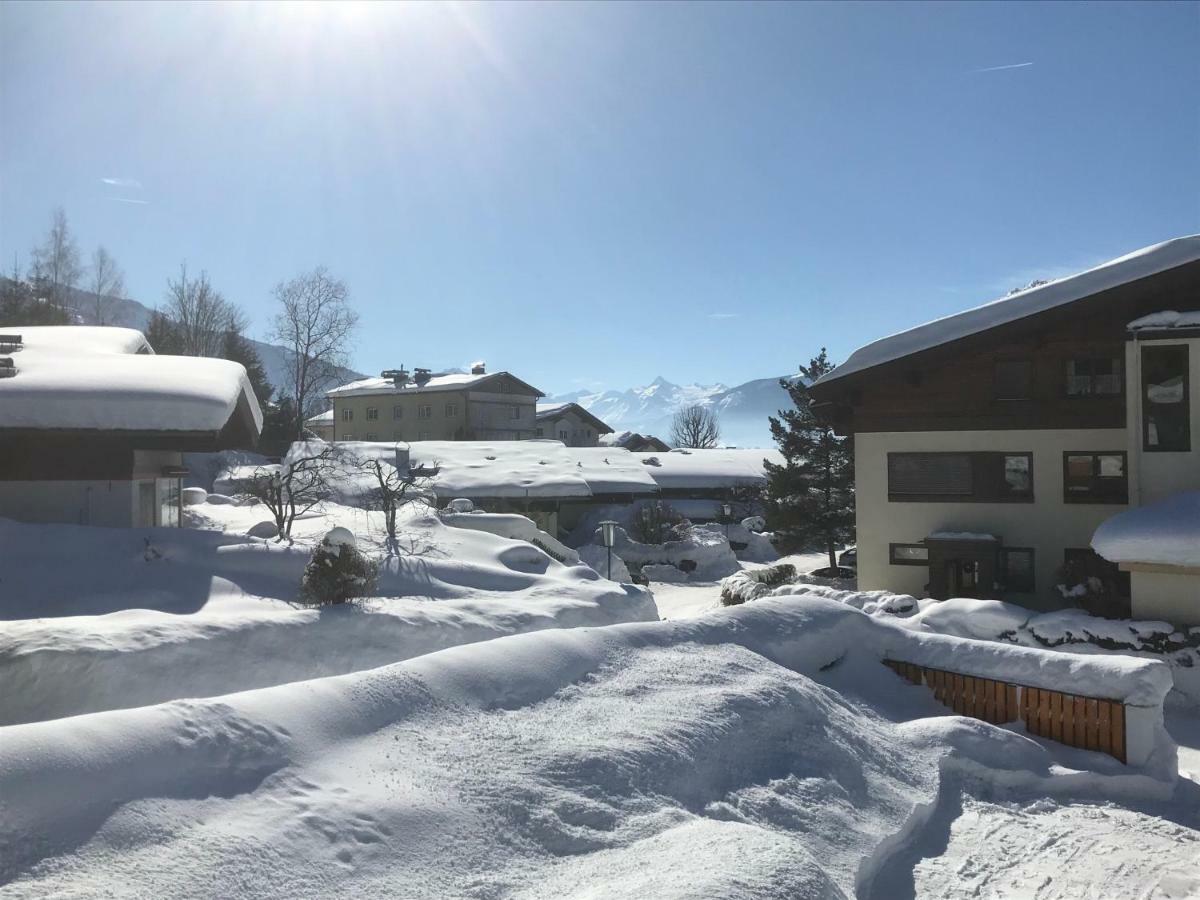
(1087, 723)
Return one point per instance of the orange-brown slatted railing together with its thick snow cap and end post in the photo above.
(1109, 704)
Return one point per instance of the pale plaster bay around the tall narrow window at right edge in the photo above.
(1161, 475)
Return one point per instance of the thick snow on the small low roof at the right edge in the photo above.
(1166, 533)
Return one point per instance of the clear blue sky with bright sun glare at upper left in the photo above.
(596, 195)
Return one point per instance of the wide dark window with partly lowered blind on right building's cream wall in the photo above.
(962, 477)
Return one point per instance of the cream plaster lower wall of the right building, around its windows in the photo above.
(1048, 525)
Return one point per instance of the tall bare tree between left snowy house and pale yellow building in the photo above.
(315, 325)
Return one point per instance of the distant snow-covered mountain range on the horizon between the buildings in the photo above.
(742, 411)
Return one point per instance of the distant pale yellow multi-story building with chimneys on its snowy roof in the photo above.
(422, 406)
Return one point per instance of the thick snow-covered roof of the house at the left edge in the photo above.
(110, 379)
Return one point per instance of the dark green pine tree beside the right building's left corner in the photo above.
(811, 499)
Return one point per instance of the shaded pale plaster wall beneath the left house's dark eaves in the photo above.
(98, 503)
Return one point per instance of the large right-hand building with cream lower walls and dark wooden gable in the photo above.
(989, 446)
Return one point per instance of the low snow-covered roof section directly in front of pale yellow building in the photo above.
(501, 469)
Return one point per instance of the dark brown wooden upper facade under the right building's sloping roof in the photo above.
(955, 387)
